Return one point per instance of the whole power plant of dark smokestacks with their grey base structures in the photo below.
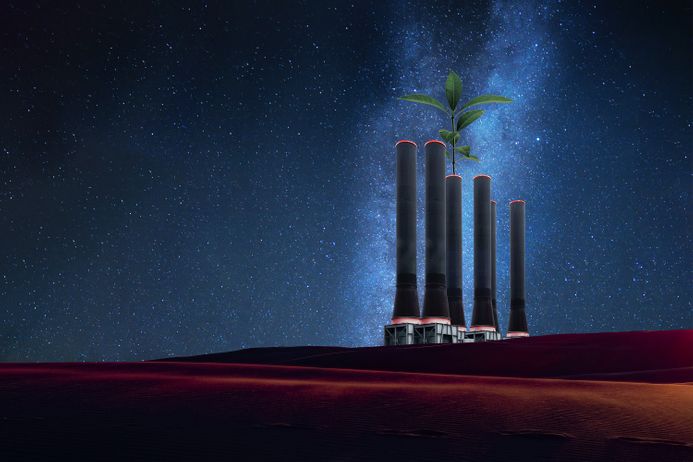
(442, 318)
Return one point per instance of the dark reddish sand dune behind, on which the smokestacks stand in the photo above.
(655, 356)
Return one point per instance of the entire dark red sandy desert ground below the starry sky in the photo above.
(615, 396)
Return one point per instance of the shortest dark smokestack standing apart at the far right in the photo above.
(517, 326)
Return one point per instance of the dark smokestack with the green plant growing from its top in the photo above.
(453, 240)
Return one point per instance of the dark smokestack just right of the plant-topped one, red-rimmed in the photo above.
(482, 317)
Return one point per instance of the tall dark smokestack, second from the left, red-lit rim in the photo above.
(435, 299)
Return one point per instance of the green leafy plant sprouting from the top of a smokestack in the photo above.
(459, 118)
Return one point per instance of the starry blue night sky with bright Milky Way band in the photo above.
(182, 179)
